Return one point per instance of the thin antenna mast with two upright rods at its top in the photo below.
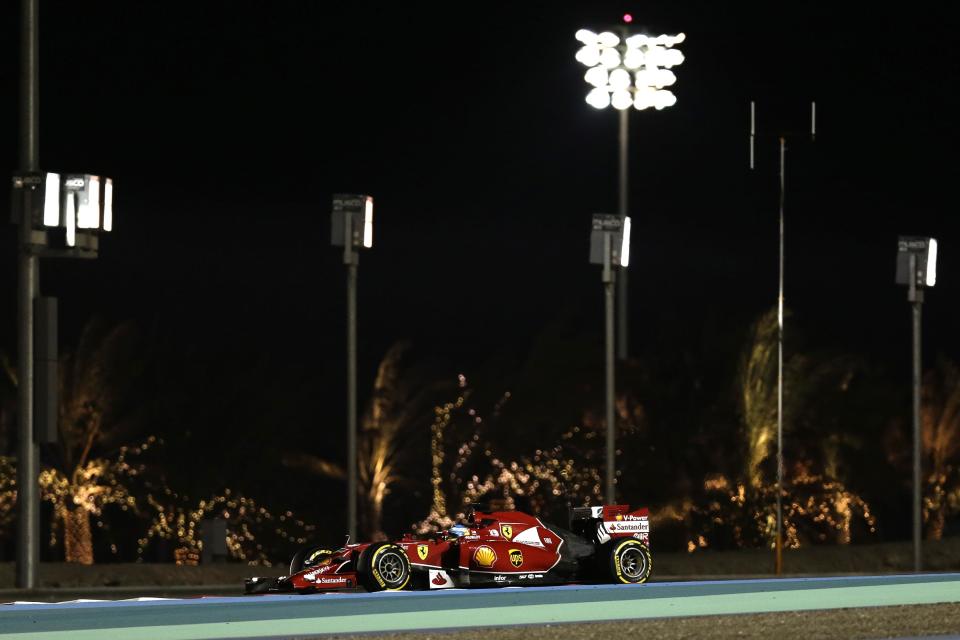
(782, 138)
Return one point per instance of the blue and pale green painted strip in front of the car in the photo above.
(283, 615)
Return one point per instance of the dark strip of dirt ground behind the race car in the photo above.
(943, 555)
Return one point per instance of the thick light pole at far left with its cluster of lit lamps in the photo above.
(56, 219)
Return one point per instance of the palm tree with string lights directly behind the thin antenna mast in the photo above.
(812, 454)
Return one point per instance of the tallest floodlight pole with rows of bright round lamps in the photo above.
(628, 70)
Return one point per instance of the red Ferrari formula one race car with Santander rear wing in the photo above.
(493, 549)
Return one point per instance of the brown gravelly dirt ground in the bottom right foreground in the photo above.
(878, 622)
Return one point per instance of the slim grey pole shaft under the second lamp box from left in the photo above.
(351, 258)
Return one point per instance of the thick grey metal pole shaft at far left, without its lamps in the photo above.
(28, 453)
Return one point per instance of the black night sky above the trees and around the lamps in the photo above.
(228, 125)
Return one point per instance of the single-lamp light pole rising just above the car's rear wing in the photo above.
(610, 247)
